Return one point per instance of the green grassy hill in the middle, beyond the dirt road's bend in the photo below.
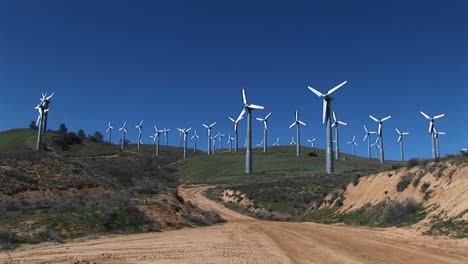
(280, 181)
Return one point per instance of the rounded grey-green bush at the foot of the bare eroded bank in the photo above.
(395, 213)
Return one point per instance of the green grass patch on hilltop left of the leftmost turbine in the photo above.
(16, 139)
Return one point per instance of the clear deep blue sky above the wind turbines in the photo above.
(183, 63)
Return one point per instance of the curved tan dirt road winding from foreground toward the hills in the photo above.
(247, 240)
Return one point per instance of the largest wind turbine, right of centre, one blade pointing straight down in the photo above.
(326, 118)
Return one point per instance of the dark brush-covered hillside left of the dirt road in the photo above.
(78, 189)
